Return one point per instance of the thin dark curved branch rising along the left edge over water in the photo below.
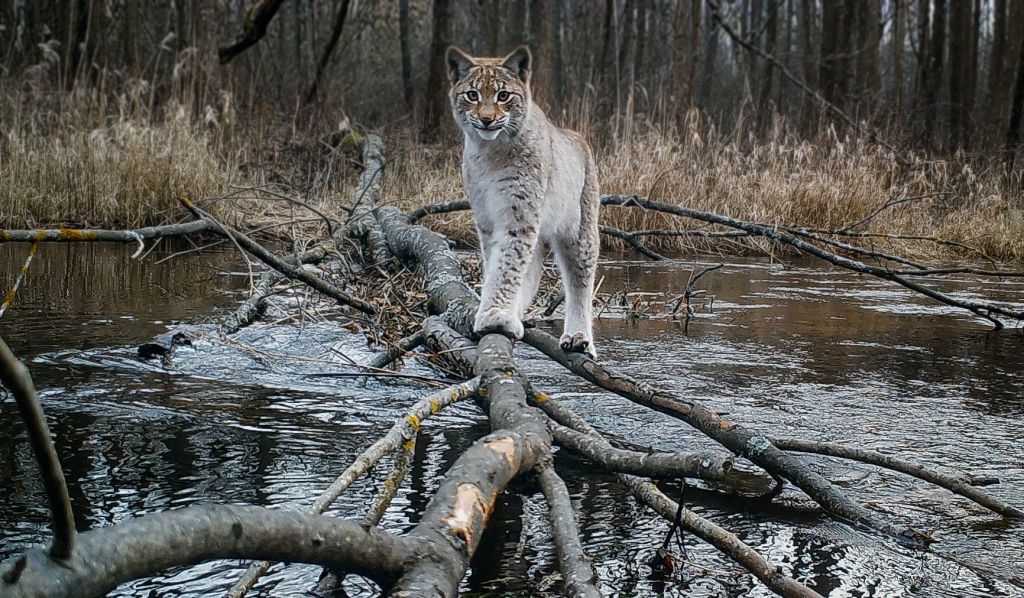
(16, 378)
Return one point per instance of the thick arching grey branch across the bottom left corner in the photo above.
(144, 547)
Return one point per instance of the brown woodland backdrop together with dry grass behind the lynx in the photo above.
(112, 132)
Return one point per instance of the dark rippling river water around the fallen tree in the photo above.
(798, 352)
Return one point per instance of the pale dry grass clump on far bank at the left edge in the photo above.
(75, 160)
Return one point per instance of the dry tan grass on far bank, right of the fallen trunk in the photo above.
(828, 184)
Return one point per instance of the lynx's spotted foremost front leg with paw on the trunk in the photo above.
(504, 277)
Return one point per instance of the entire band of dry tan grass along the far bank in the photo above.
(115, 160)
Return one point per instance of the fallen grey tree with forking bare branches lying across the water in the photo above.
(434, 557)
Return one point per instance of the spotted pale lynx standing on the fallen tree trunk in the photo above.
(532, 186)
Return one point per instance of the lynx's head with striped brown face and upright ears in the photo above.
(490, 96)
